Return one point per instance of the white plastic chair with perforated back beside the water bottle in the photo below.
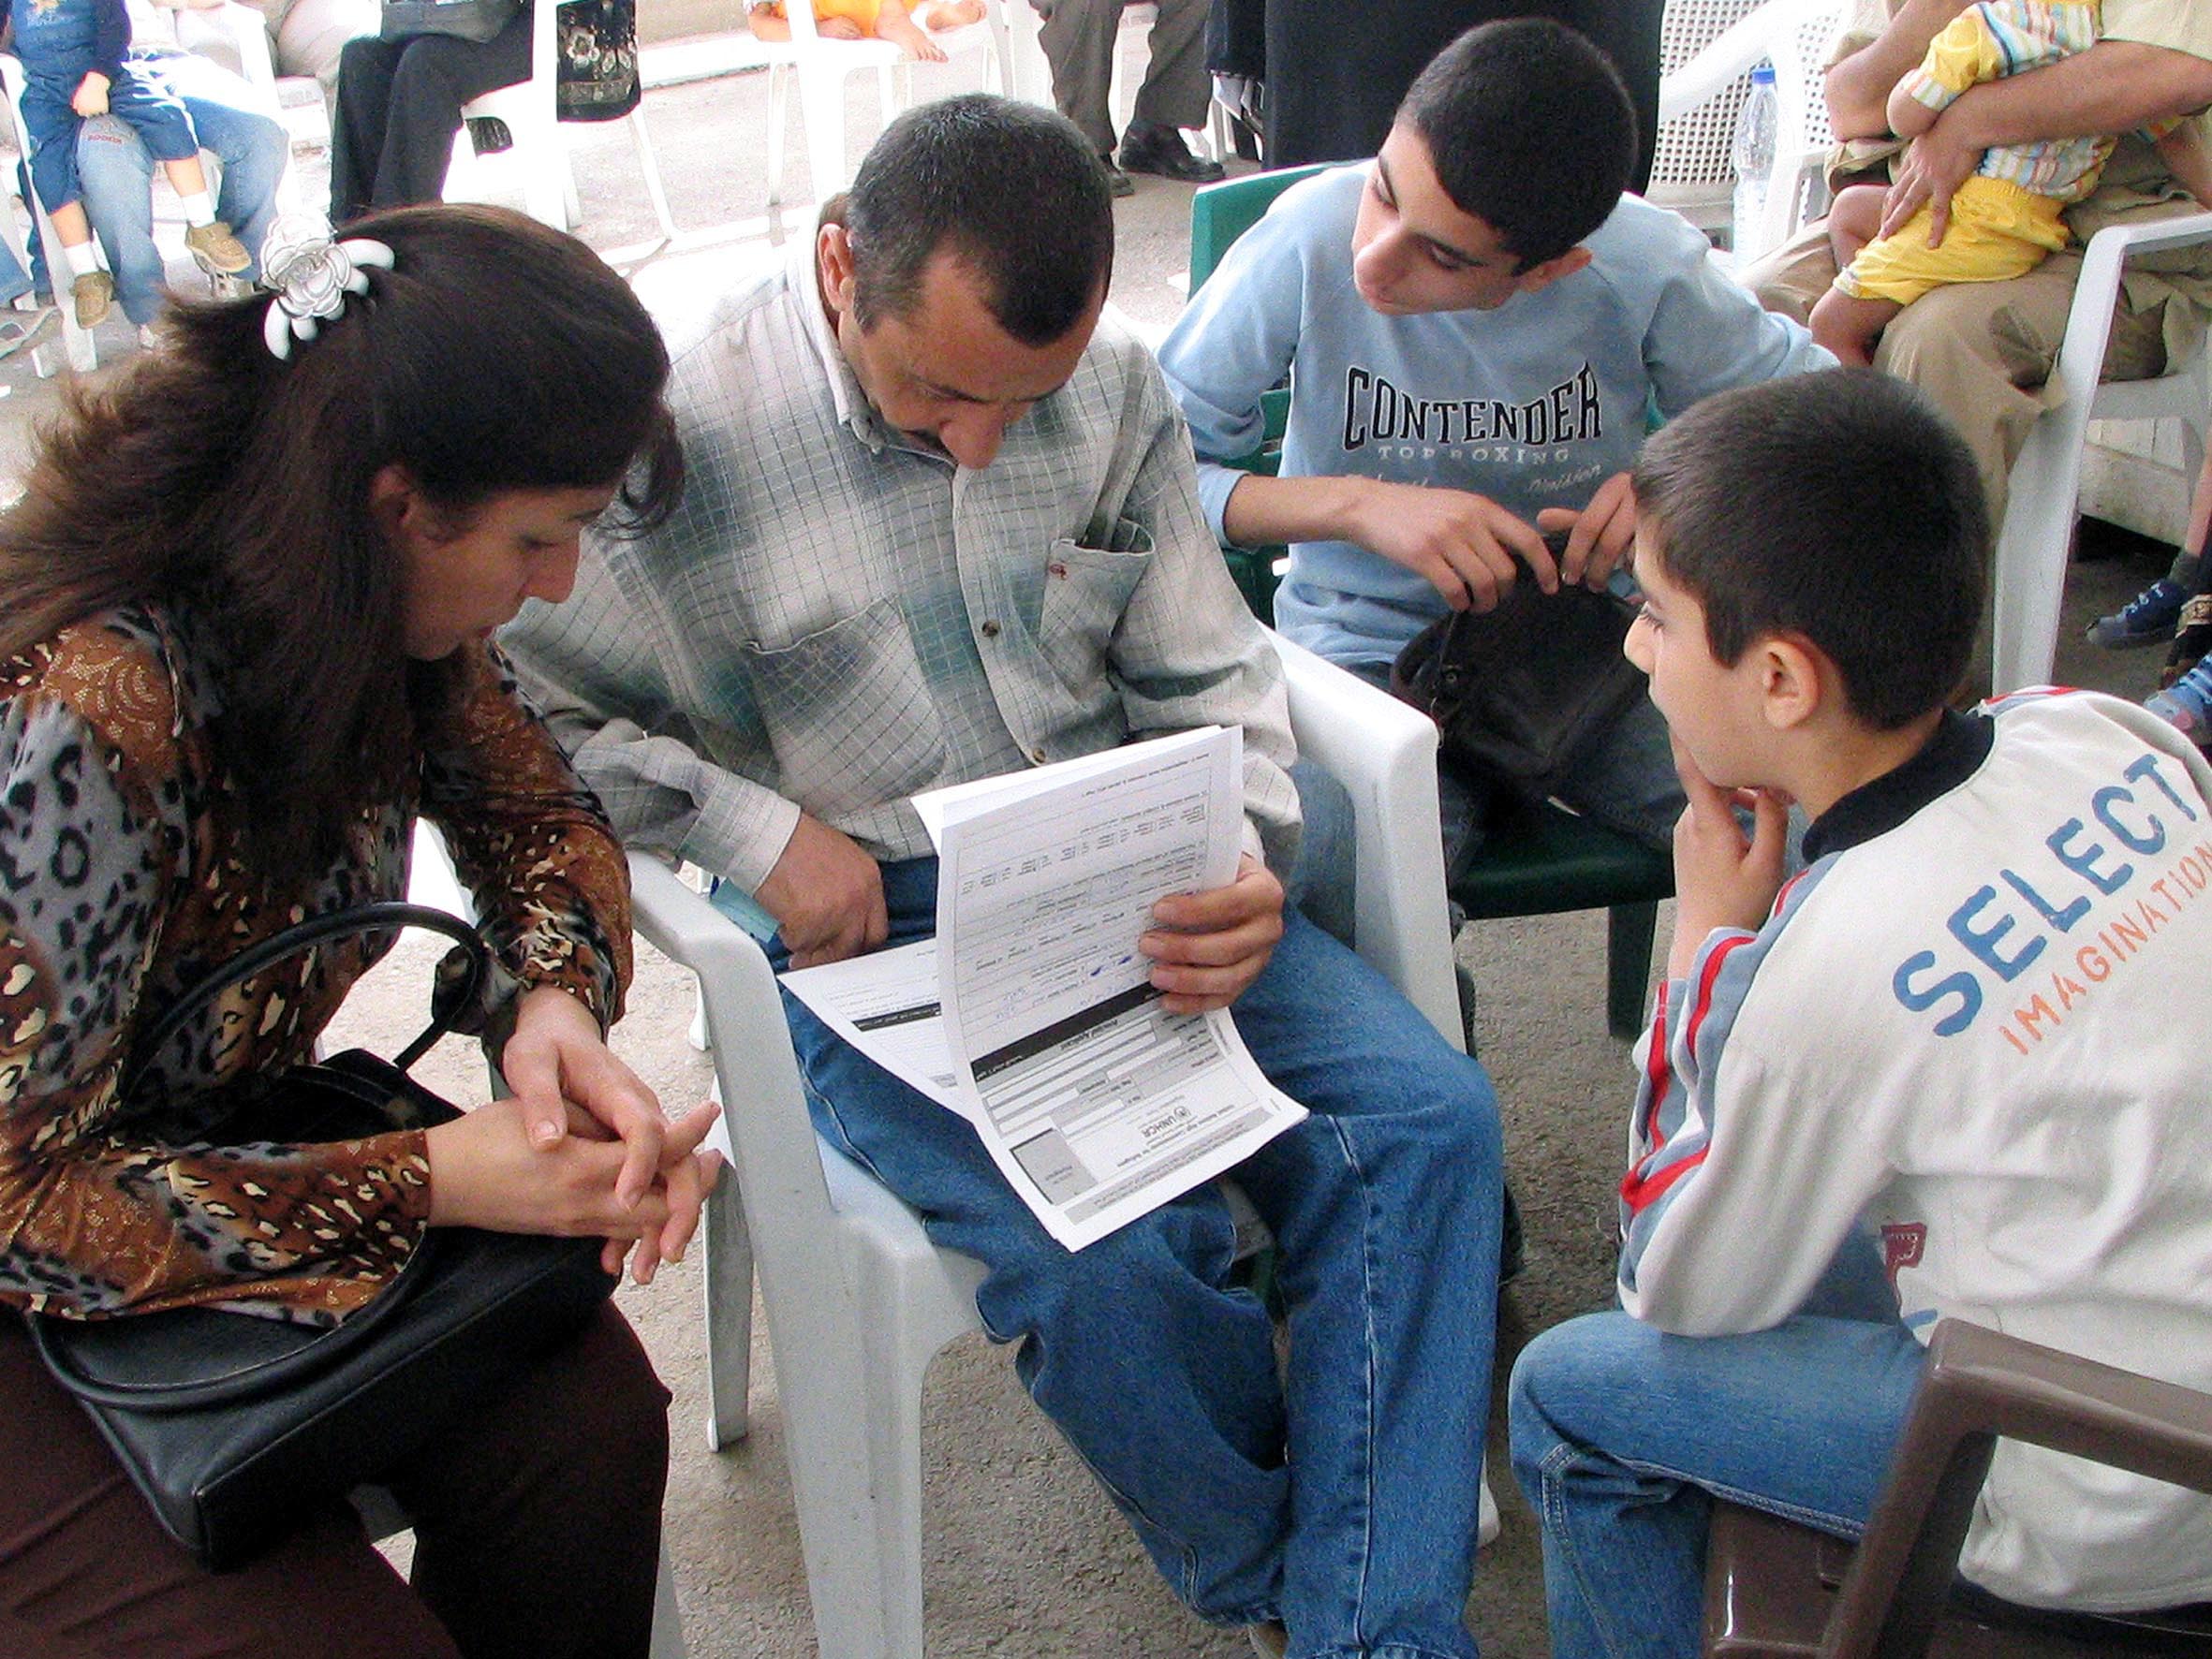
(1795, 36)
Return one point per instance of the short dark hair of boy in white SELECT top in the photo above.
(1841, 508)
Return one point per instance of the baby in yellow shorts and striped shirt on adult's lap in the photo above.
(2010, 216)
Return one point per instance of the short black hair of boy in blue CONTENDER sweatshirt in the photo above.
(1532, 132)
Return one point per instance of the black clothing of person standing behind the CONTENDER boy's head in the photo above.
(1335, 79)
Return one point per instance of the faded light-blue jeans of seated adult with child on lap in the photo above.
(116, 174)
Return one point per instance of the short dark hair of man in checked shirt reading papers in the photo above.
(1012, 189)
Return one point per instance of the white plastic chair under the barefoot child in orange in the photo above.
(822, 67)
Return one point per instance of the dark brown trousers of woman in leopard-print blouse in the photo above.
(536, 1525)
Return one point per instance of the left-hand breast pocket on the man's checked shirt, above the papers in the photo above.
(851, 713)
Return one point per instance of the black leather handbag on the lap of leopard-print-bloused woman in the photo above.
(233, 1426)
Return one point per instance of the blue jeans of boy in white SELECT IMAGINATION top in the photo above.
(1625, 1434)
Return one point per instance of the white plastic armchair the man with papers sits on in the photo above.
(857, 1297)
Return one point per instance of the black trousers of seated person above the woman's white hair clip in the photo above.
(399, 109)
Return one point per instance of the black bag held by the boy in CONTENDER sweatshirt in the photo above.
(1521, 691)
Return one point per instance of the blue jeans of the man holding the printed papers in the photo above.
(1344, 1499)
